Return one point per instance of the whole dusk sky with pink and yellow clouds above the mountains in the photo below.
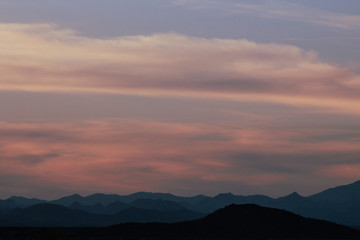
(182, 96)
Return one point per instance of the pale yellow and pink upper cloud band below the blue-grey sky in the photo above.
(43, 57)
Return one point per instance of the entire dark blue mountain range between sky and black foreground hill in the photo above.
(340, 205)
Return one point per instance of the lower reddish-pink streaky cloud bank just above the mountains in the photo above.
(127, 156)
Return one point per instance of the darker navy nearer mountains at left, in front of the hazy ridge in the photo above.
(52, 215)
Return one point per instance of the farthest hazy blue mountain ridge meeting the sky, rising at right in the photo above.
(339, 204)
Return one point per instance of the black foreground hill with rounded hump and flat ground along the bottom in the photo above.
(233, 222)
